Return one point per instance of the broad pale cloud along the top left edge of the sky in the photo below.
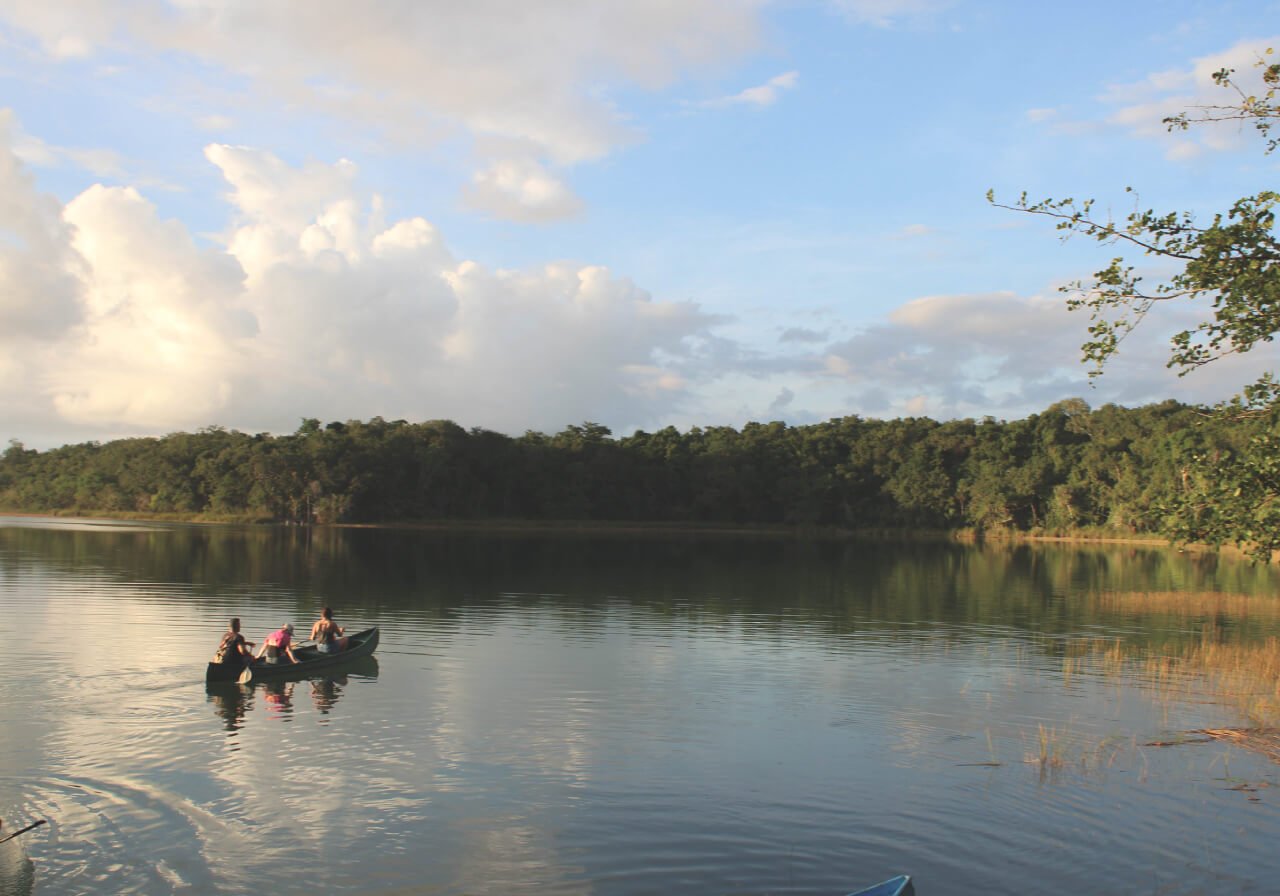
(418, 72)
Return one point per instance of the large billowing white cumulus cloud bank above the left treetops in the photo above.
(314, 305)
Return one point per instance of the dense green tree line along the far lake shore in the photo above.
(1068, 469)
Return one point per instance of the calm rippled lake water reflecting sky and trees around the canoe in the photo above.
(614, 714)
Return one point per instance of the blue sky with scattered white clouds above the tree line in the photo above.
(529, 216)
